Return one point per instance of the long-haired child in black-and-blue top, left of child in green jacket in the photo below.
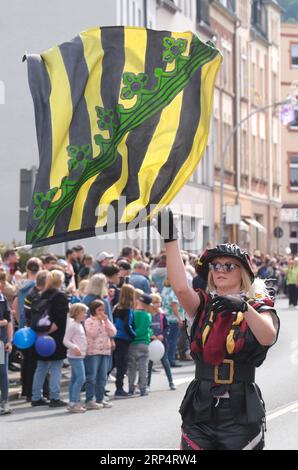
(123, 320)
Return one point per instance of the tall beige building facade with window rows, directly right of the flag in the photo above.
(247, 32)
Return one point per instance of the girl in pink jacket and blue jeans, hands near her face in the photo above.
(99, 331)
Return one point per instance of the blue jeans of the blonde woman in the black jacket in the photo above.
(55, 367)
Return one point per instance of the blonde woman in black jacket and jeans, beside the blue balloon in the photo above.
(58, 308)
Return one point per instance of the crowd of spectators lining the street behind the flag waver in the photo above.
(104, 312)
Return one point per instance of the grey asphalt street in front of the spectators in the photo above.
(153, 422)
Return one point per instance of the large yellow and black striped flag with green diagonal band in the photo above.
(121, 114)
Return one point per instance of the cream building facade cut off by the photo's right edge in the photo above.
(289, 85)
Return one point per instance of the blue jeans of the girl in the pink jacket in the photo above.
(96, 376)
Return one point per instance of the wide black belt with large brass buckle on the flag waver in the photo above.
(226, 373)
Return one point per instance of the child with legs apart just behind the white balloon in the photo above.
(160, 328)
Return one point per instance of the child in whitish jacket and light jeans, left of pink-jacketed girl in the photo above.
(76, 342)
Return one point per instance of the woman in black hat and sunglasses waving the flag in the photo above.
(234, 324)
